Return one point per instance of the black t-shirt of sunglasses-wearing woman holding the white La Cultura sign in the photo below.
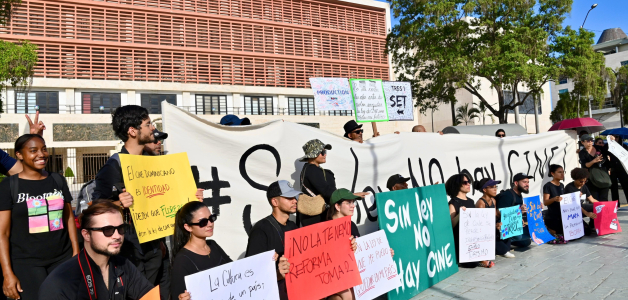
(187, 262)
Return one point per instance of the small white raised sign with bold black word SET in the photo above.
(399, 100)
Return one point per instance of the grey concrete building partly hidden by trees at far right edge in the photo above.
(614, 44)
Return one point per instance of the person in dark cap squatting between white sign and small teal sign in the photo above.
(489, 189)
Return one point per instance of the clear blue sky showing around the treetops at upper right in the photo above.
(608, 14)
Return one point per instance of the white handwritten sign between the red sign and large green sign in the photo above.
(376, 266)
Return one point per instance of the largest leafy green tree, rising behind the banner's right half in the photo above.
(508, 45)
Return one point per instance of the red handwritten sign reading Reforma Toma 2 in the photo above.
(321, 260)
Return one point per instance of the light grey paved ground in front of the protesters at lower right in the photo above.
(589, 268)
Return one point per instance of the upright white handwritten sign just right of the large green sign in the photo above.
(477, 234)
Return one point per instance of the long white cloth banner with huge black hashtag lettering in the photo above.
(235, 164)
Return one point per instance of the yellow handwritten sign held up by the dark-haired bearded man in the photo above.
(160, 185)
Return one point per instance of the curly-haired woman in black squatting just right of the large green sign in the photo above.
(457, 187)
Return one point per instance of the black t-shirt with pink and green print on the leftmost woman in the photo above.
(38, 234)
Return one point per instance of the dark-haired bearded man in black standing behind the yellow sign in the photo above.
(132, 124)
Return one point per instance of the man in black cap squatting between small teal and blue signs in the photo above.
(512, 197)
